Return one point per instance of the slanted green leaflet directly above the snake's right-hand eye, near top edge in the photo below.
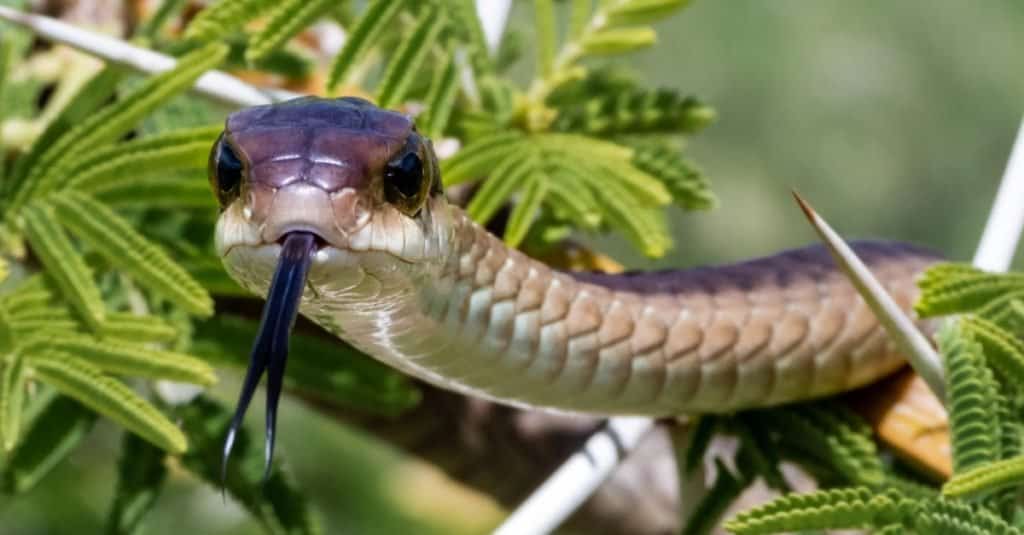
(407, 64)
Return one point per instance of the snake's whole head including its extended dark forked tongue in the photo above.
(314, 188)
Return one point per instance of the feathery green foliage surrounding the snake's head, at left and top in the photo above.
(108, 221)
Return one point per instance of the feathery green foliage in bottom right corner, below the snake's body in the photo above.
(984, 369)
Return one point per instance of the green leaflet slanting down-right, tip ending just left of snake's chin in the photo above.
(114, 238)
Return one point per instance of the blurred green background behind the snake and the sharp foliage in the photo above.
(894, 119)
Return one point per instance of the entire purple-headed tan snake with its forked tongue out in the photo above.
(335, 210)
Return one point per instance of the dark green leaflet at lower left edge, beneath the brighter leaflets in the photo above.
(58, 427)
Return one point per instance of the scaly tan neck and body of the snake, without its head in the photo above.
(487, 320)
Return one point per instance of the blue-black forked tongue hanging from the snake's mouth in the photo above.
(271, 350)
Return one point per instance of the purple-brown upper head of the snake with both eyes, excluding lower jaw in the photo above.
(321, 166)
